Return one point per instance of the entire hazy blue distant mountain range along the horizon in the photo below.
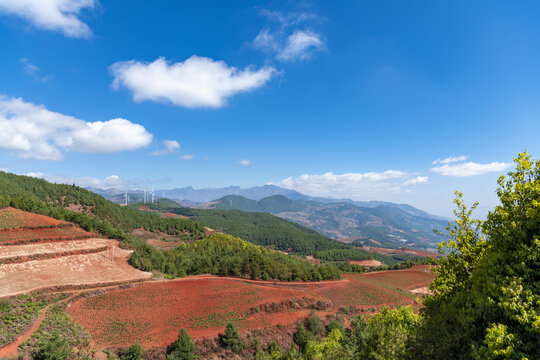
(374, 223)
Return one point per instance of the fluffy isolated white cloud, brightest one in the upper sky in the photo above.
(195, 82)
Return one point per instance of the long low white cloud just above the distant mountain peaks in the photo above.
(354, 185)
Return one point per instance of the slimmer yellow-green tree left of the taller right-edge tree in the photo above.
(441, 333)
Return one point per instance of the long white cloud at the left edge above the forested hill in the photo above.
(31, 131)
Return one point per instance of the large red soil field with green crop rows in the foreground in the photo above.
(153, 313)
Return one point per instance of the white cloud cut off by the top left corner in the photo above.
(55, 15)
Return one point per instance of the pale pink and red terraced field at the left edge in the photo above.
(38, 252)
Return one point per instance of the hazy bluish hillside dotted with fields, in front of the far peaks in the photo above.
(390, 225)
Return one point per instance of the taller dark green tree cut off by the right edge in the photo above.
(504, 315)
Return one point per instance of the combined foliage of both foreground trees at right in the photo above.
(487, 302)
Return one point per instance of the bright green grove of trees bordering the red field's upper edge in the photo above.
(226, 255)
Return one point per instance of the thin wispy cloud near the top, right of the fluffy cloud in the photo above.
(286, 41)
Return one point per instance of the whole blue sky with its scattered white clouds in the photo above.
(353, 100)
